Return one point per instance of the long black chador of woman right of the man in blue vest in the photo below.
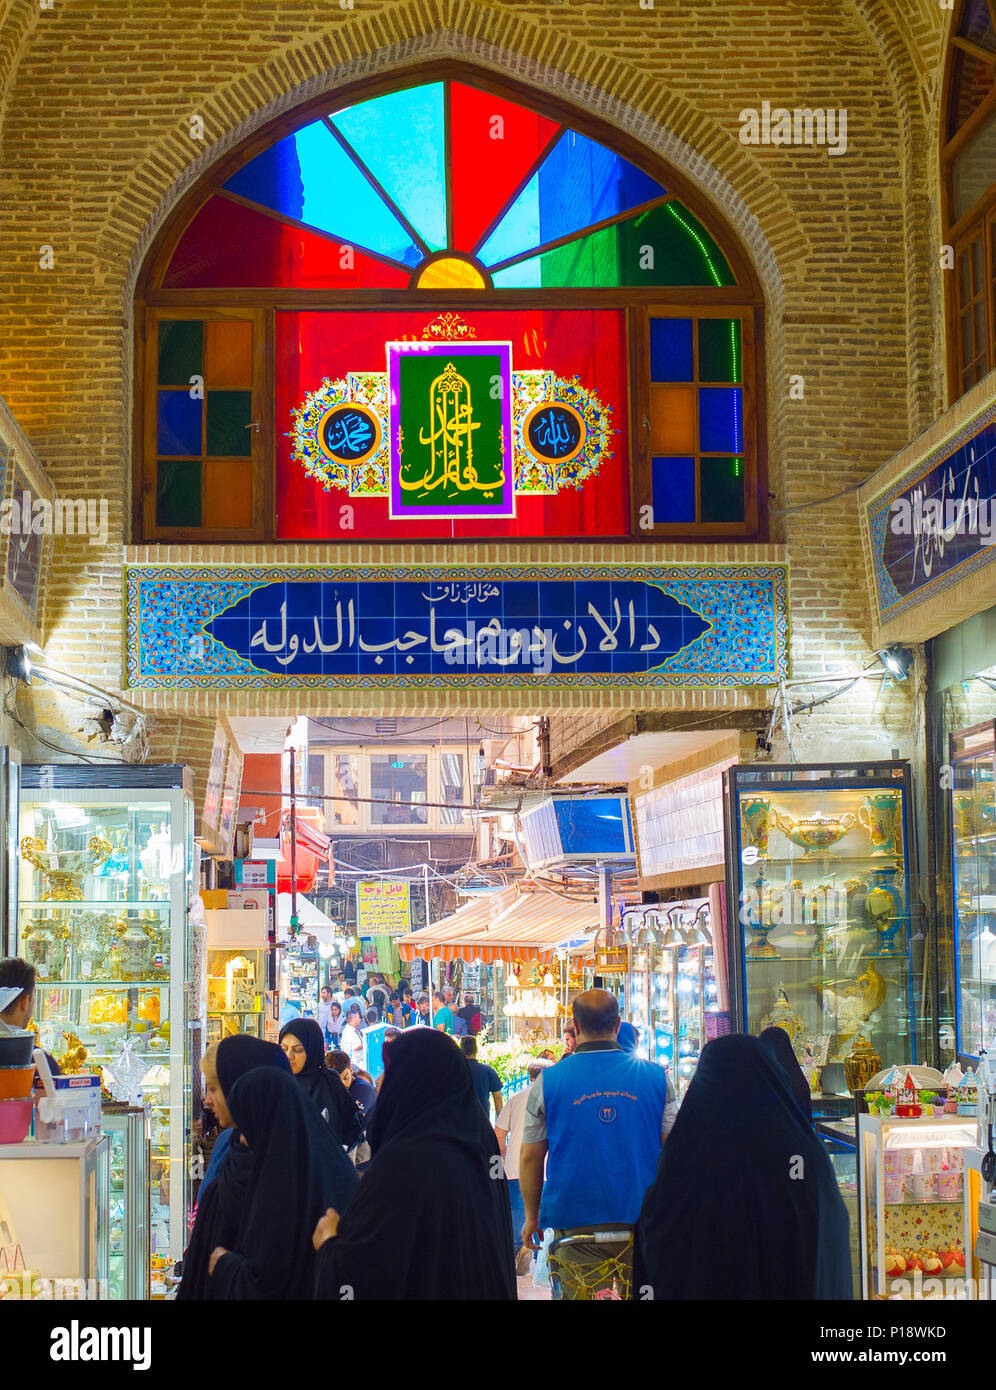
(745, 1204)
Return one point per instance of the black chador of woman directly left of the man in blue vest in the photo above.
(431, 1218)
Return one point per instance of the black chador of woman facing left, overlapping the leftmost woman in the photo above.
(297, 1172)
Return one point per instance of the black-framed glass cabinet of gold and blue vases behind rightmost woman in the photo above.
(819, 862)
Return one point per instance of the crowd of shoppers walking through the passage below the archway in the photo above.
(594, 1163)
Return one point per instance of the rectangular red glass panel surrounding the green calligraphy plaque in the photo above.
(586, 344)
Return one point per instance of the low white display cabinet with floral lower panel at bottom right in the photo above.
(919, 1203)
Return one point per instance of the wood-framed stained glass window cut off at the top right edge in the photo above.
(969, 166)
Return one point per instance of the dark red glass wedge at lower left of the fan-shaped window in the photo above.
(231, 247)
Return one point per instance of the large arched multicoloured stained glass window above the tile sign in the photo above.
(441, 313)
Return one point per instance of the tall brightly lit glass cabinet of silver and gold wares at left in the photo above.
(105, 879)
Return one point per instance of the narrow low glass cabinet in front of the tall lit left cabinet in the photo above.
(127, 1128)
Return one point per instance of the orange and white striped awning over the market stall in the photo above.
(506, 926)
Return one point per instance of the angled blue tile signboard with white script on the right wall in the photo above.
(936, 525)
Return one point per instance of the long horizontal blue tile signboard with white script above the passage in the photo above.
(251, 628)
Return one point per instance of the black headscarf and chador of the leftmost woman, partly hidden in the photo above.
(220, 1207)
